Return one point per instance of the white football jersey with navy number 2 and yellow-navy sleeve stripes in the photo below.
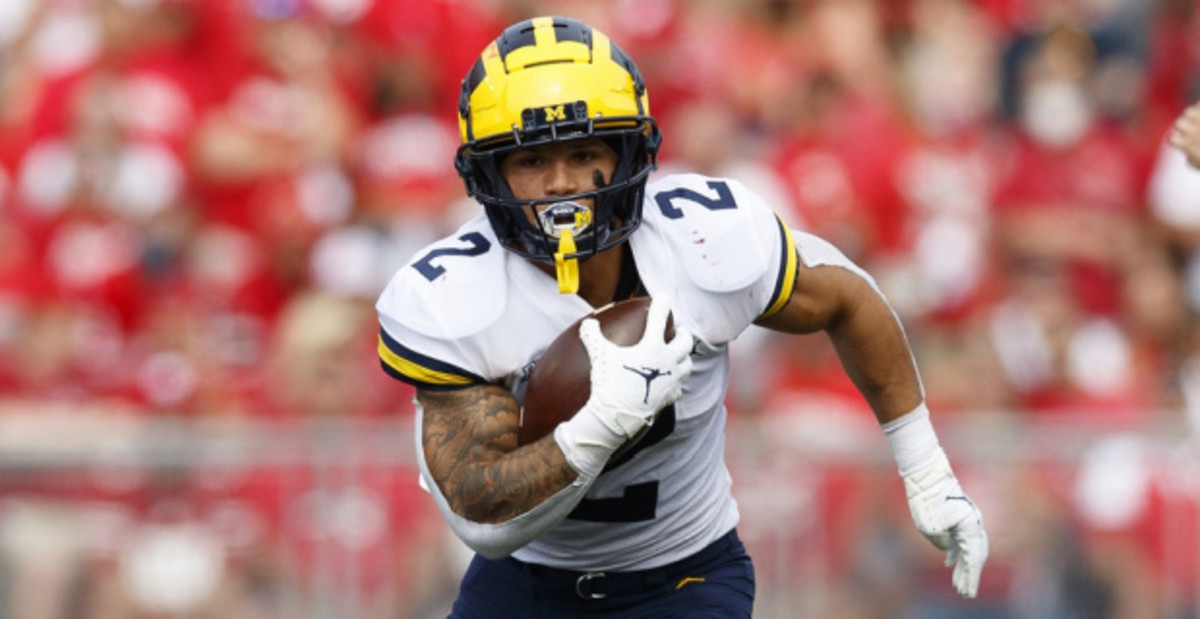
(465, 311)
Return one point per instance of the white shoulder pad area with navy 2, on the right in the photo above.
(723, 233)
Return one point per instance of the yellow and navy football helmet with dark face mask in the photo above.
(550, 80)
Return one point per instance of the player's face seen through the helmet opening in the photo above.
(560, 170)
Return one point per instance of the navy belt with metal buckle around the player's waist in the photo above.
(599, 585)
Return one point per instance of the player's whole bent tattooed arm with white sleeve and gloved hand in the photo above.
(499, 496)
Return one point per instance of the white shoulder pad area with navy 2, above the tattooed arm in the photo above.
(453, 289)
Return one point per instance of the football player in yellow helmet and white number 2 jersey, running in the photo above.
(557, 145)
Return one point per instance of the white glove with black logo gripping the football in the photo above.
(629, 387)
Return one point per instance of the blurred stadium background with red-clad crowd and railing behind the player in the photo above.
(201, 199)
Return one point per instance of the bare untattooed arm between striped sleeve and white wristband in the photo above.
(866, 333)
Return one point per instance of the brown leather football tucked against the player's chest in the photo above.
(561, 382)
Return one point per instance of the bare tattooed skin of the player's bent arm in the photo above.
(471, 446)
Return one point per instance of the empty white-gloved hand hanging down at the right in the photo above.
(947, 518)
